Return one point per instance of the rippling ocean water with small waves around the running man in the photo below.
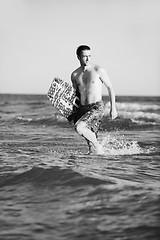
(50, 189)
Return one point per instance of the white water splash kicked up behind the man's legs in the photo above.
(120, 146)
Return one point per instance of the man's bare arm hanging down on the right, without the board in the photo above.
(106, 80)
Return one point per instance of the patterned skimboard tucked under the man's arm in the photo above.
(63, 97)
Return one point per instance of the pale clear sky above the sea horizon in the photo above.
(39, 39)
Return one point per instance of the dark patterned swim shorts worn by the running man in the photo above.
(91, 114)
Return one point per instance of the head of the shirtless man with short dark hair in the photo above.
(84, 54)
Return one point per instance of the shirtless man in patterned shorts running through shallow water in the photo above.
(88, 80)
